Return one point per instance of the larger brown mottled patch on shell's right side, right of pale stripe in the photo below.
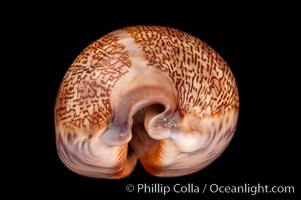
(217, 78)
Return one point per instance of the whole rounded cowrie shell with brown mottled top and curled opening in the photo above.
(147, 93)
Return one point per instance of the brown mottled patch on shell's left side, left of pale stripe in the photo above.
(83, 98)
